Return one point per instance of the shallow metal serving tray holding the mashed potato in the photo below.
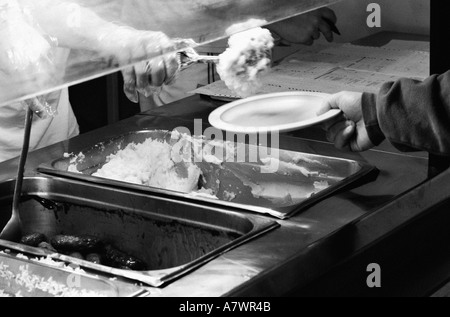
(241, 184)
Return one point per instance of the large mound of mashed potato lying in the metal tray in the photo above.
(152, 164)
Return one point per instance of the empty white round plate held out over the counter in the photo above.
(283, 112)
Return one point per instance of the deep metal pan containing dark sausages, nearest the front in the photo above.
(172, 237)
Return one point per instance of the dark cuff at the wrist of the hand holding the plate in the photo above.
(369, 111)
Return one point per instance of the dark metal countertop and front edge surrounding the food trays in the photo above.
(303, 247)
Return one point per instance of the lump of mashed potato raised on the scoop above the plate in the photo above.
(247, 57)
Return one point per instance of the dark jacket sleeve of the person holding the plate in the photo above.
(412, 115)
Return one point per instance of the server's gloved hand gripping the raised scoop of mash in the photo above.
(129, 45)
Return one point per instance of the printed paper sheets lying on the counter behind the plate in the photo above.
(331, 68)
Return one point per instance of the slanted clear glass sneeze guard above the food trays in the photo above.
(79, 59)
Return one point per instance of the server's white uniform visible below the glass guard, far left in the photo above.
(44, 132)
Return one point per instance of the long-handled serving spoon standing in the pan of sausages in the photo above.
(13, 229)
